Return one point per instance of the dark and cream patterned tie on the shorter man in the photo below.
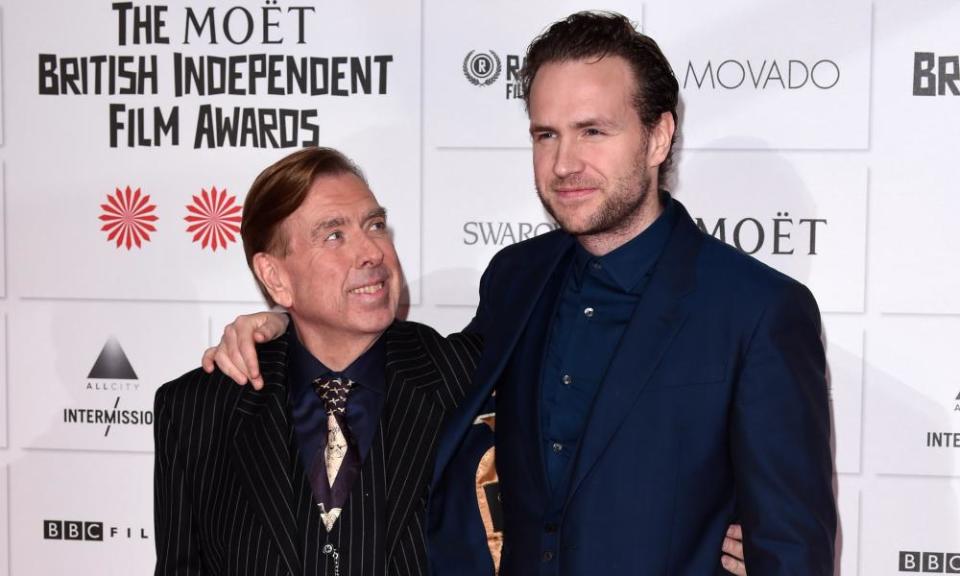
(335, 468)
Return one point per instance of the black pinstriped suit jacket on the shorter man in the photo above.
(225, 486)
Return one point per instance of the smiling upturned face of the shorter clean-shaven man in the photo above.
(342, 273)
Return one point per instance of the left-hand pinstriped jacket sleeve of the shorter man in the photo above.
(178, 550)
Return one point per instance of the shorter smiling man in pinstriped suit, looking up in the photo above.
(325, 469)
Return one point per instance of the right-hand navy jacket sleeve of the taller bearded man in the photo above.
(780, 442)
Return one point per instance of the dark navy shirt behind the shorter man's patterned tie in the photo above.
(364, 403)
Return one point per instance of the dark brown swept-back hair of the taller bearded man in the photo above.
(594, 35)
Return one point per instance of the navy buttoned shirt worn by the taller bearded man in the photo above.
(595, 306)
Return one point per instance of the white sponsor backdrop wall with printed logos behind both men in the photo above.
(821, 137)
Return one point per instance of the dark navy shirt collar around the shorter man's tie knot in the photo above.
(367, 370)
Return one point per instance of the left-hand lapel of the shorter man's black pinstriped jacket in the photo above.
(261, 453)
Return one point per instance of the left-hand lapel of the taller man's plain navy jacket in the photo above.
(528, 279)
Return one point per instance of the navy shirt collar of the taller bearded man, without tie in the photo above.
(626, 266)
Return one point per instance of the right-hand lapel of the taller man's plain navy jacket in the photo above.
(658, 318)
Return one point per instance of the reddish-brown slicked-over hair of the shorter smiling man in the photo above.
(277, 193)
